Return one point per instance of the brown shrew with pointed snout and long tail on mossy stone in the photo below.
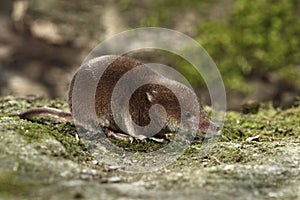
(118, 79)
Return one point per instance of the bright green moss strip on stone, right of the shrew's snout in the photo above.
(269, 123)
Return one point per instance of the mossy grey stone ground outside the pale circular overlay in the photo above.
(256, 157)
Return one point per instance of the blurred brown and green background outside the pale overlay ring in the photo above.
(255, 44)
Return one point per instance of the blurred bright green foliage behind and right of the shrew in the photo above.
(258, 38)
